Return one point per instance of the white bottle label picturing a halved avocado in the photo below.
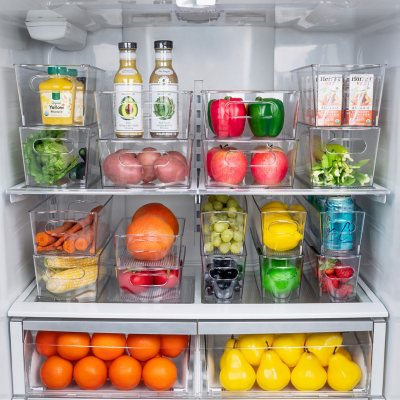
(128, 111)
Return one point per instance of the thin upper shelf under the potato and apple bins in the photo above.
(376, 192)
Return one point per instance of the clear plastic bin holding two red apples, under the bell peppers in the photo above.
(250, 163)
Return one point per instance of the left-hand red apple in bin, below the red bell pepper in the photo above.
(228, 165)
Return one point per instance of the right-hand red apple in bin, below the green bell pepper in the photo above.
(269, 165)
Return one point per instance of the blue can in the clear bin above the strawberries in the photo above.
(338, 226)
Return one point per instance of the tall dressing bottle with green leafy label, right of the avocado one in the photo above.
(164, 93)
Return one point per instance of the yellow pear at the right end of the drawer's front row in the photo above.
(343, 374)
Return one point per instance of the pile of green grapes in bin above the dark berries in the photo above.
(223, 225)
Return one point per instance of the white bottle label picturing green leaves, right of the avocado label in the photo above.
(164, 112)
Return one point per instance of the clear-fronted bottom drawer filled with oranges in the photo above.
(107, 364)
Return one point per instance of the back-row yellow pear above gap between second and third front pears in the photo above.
(290, 347)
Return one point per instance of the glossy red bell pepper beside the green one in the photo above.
(227, 117)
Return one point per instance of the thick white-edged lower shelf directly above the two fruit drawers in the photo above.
(308, 309)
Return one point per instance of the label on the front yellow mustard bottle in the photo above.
(56, 104)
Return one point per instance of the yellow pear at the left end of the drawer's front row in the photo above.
(237, 374)
